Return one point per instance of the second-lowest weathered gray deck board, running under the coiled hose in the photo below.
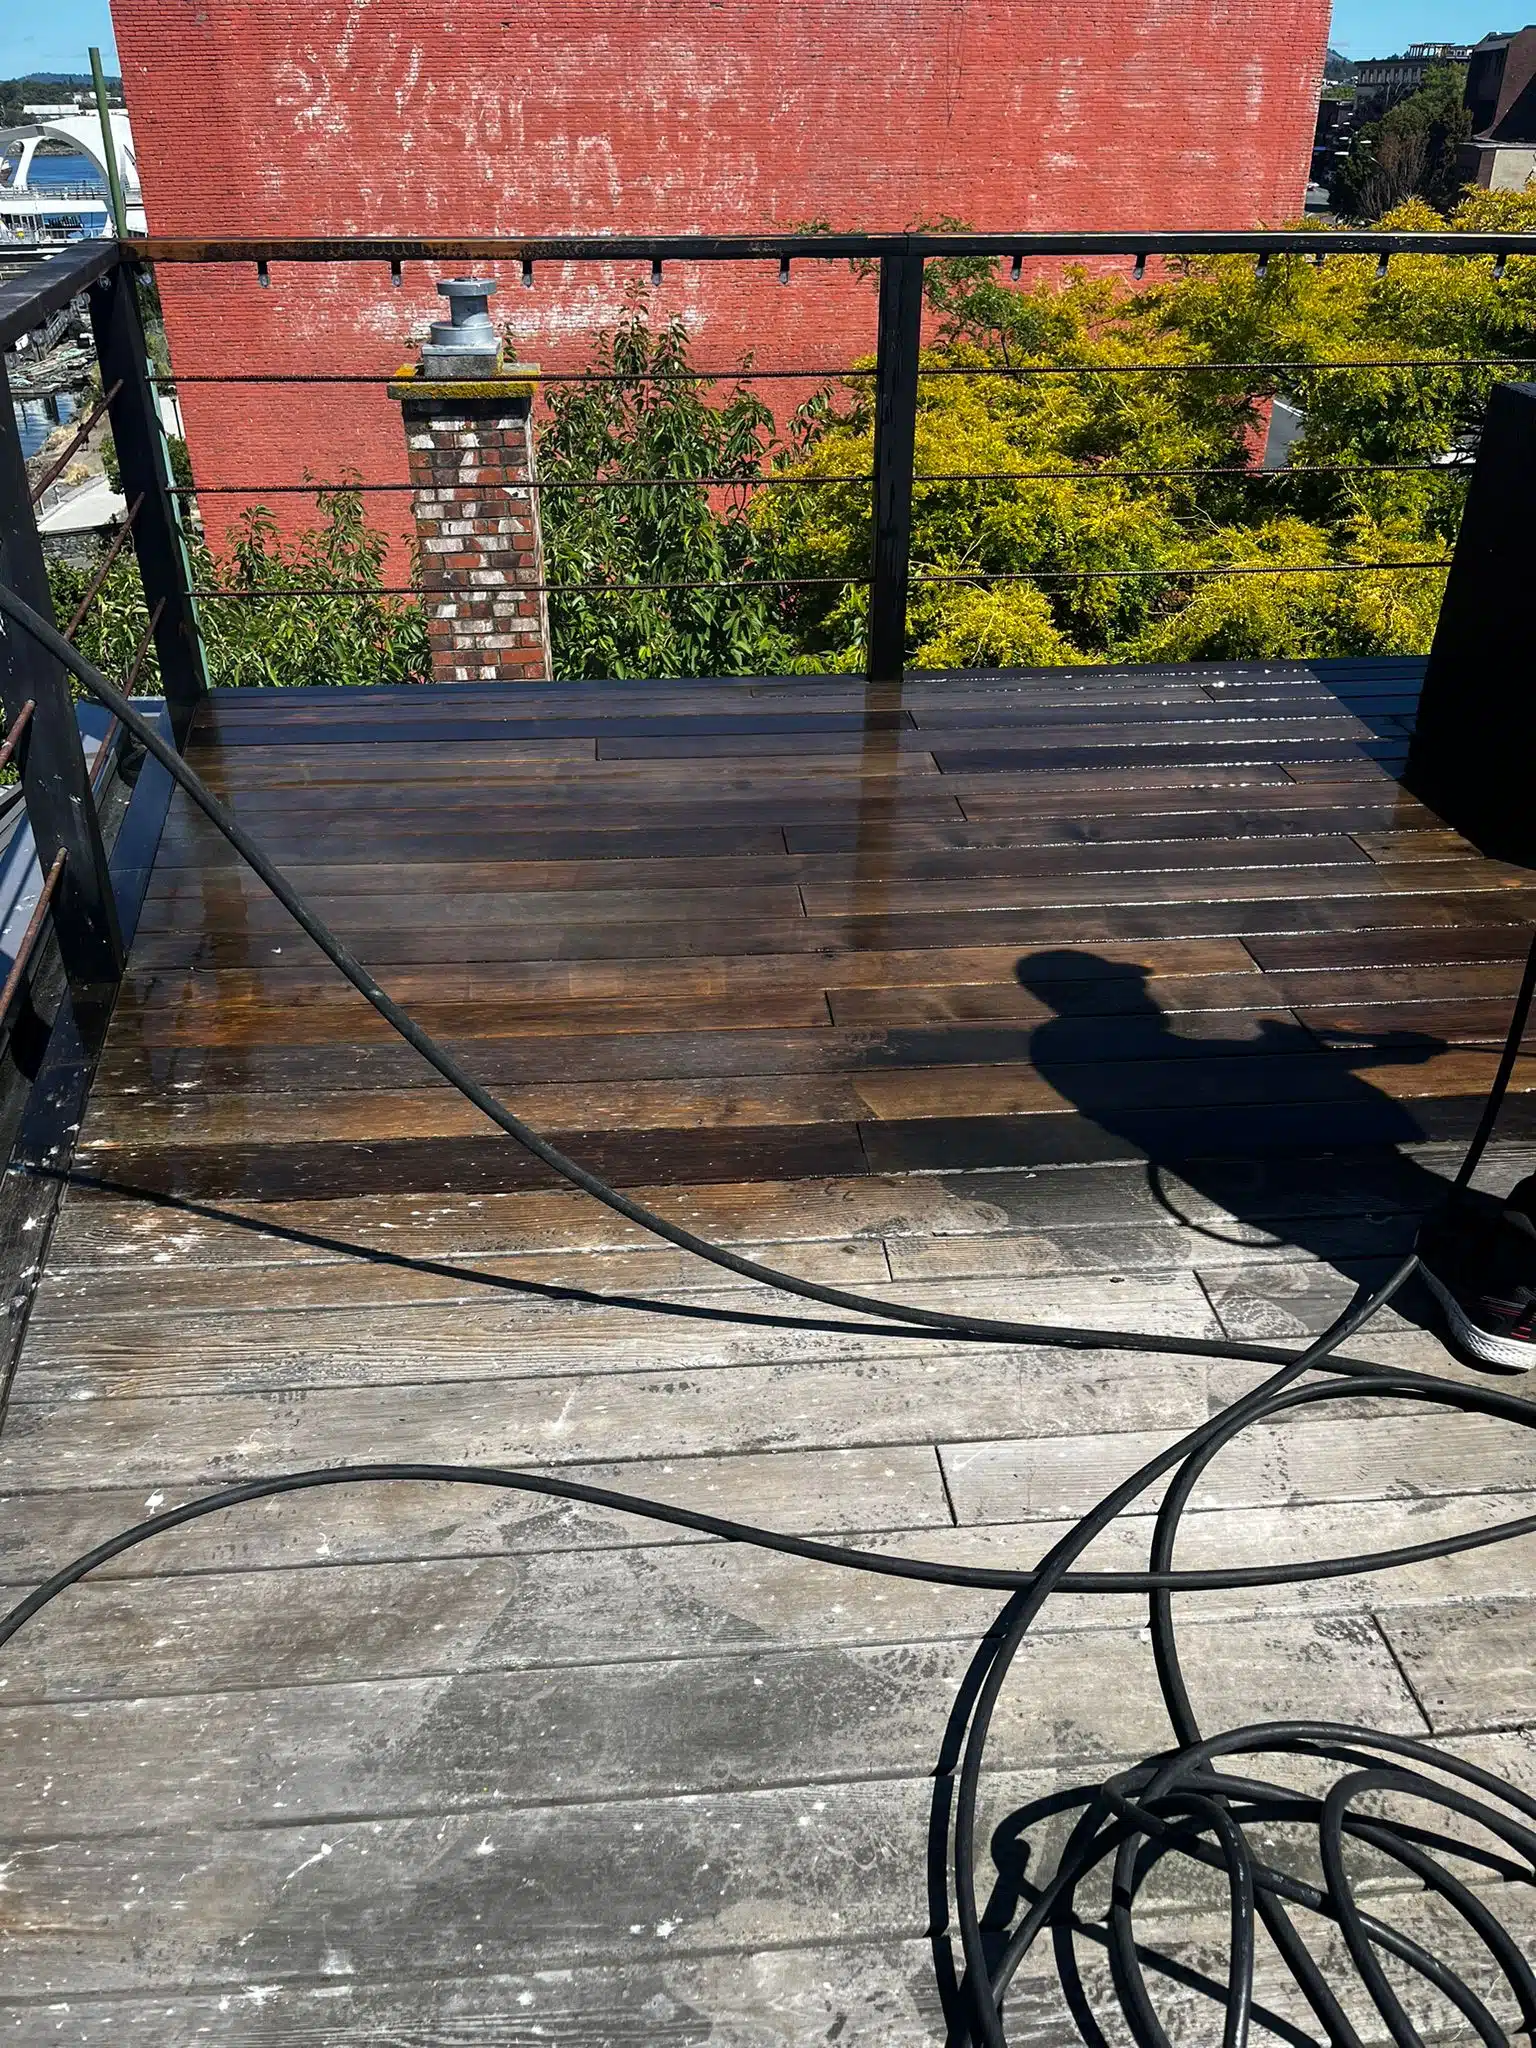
(347, 1889)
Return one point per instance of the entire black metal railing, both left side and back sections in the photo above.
(44, 736)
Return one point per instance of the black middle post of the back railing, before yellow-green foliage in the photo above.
(896, 431)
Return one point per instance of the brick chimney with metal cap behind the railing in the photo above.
(472, 464)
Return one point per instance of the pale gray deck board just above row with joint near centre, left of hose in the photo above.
(210, 1439)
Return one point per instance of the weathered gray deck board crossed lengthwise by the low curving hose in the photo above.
(210, 1631)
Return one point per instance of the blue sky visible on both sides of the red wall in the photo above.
(56, 36)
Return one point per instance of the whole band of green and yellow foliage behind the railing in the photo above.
(1132, 519)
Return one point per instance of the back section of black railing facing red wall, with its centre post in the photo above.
(898, 372)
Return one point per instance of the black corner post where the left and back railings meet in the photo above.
(144, 460)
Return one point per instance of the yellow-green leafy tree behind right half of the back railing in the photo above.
(1150, 478)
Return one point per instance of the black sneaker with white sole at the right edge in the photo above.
(1480, 1263)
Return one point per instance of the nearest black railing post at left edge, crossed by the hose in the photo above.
(52, 761)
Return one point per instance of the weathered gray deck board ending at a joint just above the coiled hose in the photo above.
(480, 1742)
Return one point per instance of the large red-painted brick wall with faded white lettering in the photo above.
(660, 116)
